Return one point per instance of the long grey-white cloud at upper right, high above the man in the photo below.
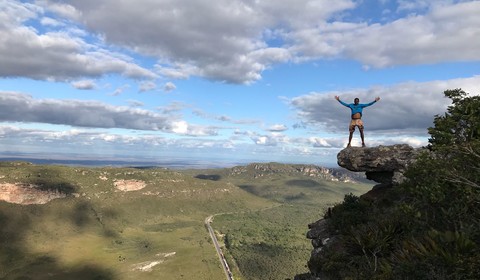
(435, 37)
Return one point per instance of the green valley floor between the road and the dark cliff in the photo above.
(270, 243)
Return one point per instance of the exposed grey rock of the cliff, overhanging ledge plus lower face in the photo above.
(383, 164)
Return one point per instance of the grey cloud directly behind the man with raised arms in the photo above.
(407, 108)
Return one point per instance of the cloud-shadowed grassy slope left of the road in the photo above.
(103, 233)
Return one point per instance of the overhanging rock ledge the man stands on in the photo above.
(383, 164)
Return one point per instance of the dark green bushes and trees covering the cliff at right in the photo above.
(427, 228)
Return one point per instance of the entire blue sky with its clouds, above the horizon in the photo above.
(232, 81)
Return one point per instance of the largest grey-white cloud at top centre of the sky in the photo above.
(229, 46)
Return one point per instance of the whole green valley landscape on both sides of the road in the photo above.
(104, 233)
